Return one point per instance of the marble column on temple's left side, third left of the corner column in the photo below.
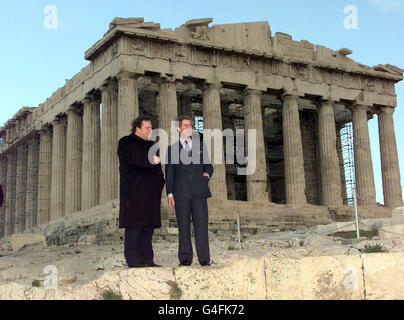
(74, 147)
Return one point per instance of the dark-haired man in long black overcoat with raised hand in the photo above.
(141, 185)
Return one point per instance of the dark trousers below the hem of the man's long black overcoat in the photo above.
(138, 245)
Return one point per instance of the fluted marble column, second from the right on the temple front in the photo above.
(365, 185)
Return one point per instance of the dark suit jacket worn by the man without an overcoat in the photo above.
(186, 181)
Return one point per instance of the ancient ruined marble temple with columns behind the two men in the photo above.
(59, 159)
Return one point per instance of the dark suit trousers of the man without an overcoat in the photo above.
(199, 209)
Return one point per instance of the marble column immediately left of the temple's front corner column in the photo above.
(109, 143)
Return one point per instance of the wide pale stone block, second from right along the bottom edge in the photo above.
(315, 278)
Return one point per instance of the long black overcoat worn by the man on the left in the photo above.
(141, 184)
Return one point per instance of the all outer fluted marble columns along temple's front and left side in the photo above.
(74, 161)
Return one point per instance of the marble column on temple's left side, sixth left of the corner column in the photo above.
(32, 183)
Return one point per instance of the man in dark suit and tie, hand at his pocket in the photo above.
(188, 171)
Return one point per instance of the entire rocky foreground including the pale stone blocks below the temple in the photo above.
(86, 269)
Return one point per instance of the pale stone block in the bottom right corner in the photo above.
(384, 276)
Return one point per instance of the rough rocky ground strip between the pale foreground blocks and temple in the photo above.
(83, 262)
